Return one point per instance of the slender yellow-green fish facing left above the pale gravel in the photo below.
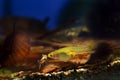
(70, 53)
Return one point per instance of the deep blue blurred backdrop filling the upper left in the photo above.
(38, 9)
